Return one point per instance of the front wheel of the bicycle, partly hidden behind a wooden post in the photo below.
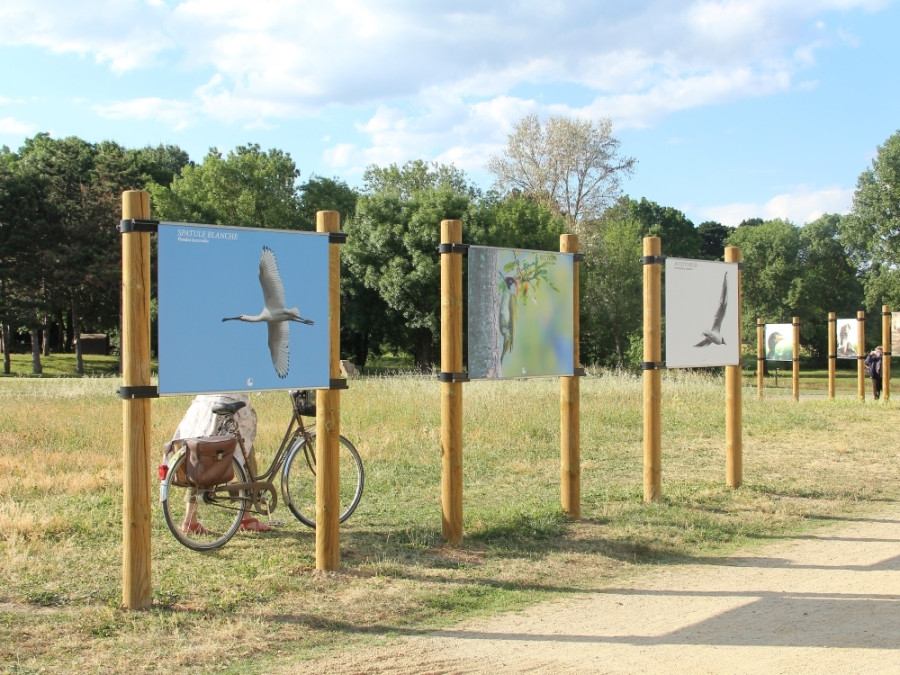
(298, 480)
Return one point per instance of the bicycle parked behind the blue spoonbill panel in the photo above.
(206, 518)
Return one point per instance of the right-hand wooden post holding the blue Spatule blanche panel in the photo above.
(328, 415)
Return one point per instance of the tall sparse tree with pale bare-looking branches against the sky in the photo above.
(573, 167)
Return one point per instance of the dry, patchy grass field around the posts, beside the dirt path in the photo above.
(805, 463)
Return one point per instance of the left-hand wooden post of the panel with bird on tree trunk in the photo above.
(451, 392)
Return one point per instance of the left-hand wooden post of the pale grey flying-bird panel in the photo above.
(652, 372)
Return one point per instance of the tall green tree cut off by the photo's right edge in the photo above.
(871, 233)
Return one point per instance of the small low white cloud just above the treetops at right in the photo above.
(802, 206)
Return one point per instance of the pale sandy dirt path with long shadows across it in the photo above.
(823, 602)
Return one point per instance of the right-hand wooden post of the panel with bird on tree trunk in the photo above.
(570, 405)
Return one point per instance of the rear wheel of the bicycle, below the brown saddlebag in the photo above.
(202, 519)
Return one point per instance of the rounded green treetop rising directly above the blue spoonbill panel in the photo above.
(249, 188)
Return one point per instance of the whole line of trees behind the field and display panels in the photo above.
(60, 254)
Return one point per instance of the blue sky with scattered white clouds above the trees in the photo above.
(733, 108)
